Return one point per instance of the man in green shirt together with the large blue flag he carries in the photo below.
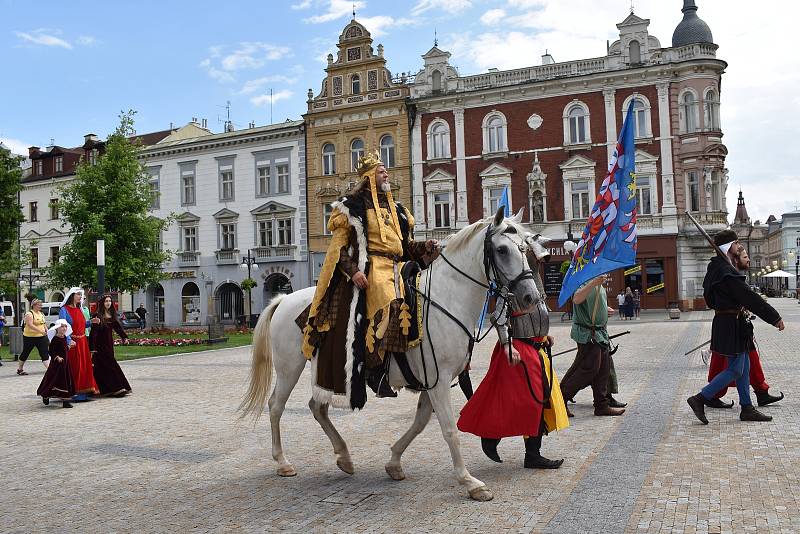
(608, 243)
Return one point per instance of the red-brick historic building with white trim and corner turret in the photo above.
(546, 133)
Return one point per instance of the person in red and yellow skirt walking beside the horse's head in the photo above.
(520, 394)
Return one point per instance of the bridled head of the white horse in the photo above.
(505, 258)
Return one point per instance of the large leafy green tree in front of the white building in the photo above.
(110, 200)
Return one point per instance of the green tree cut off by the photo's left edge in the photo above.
(10, 219)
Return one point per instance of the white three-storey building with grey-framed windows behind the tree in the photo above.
(233, 195)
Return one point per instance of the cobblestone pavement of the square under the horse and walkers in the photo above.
(171, 457)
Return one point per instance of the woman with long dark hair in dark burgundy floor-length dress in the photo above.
(107, 372)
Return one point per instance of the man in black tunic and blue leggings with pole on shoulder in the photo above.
(727, 293)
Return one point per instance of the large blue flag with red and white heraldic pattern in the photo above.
(609, 240)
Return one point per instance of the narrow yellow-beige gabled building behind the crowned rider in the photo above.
(359, 108)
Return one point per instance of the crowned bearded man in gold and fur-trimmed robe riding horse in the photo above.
(358, 313)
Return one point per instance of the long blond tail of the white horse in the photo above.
(261, 366)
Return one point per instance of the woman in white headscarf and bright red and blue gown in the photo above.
(80, 360)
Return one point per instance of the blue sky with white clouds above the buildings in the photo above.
(70, 67)
